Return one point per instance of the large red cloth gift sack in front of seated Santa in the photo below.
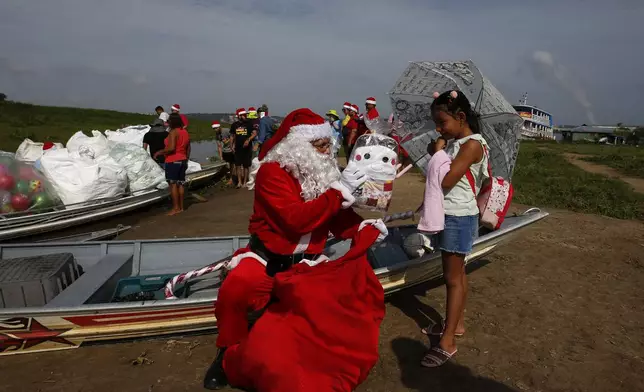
(321, 334)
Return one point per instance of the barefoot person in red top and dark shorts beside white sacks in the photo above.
(177, 154)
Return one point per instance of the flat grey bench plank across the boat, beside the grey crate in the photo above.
(97, 284)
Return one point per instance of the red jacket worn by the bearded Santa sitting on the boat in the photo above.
(286, 224)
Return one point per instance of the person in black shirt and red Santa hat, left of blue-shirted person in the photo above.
(243, 134)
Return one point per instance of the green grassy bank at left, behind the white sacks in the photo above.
(45, 123)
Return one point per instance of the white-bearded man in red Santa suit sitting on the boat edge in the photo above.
(300, 197)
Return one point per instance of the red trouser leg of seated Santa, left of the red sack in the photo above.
(247, 288)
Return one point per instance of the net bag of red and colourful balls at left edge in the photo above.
(24, 188)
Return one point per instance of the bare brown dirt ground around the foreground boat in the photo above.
(558, 309)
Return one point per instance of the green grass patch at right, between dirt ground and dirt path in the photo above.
(544, 178)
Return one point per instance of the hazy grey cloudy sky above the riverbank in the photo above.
(579, 59)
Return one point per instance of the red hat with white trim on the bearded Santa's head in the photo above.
(307, 125)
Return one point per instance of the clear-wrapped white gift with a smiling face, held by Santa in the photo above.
(377, 156)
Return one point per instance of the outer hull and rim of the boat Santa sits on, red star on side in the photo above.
(40, 329)
